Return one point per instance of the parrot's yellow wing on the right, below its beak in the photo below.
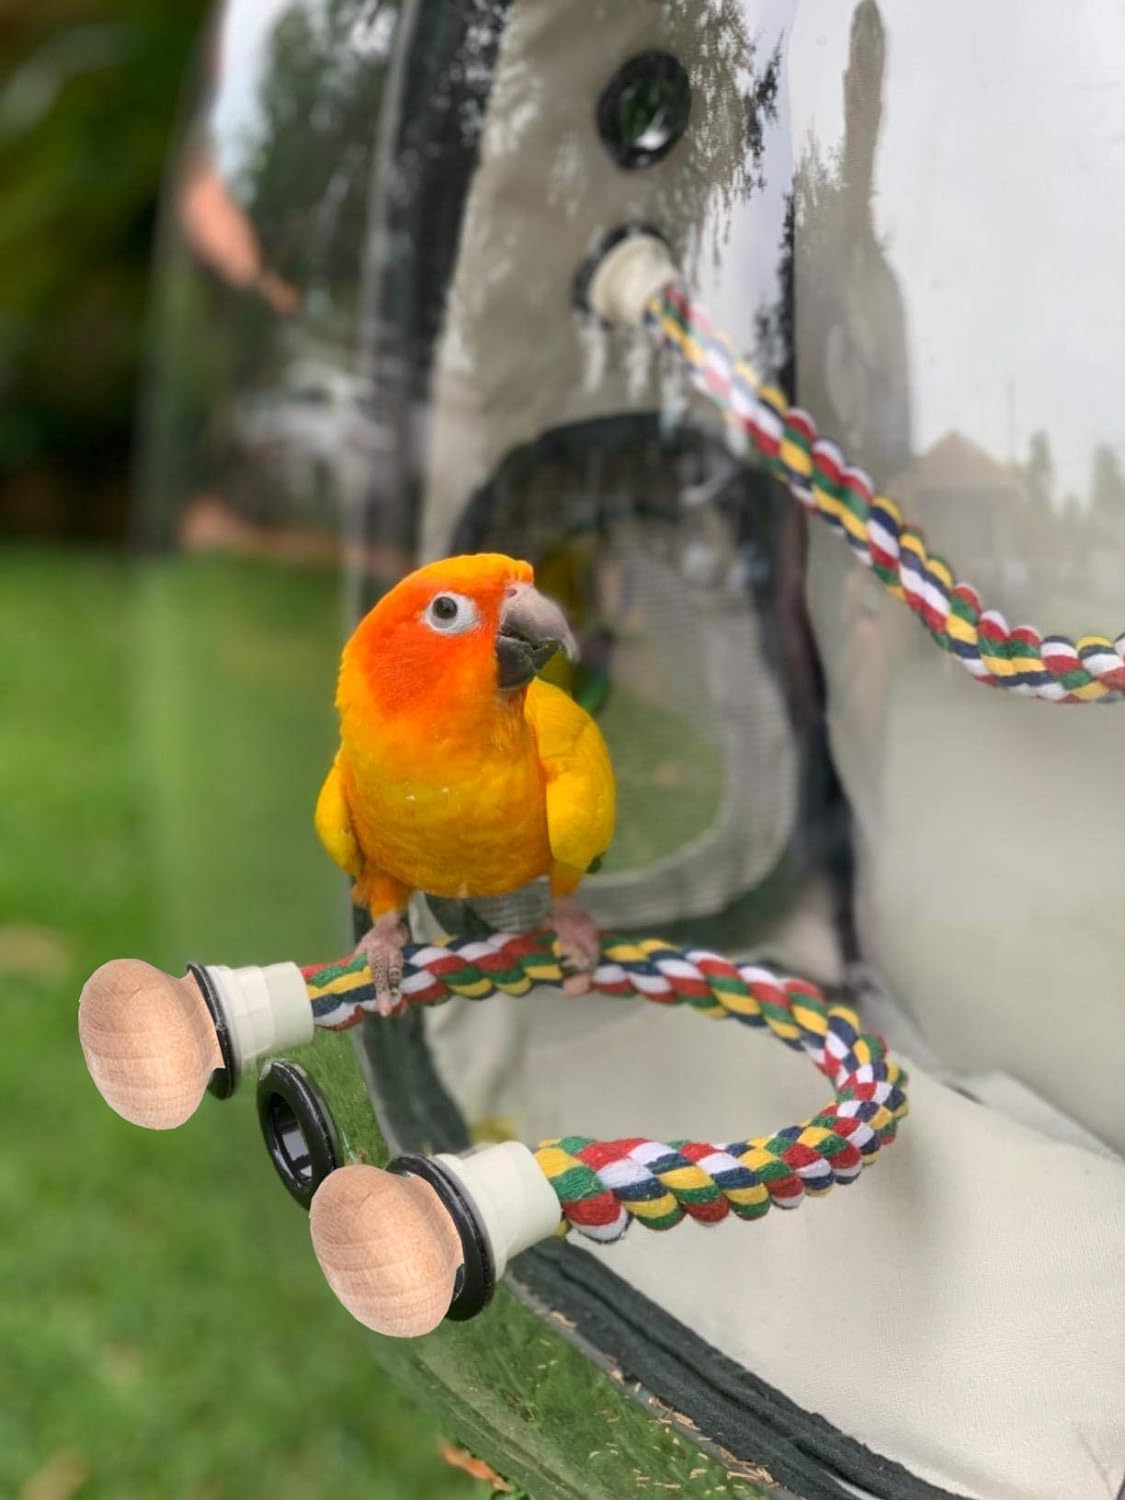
(580, 779)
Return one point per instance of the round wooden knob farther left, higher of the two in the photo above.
(149, 1043)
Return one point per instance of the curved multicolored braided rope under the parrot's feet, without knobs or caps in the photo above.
(604, 1186)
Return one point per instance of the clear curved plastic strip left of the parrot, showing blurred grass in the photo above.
(256, 470)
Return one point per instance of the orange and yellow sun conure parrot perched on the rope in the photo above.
(460, 772)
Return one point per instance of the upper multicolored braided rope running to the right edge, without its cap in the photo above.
(1055, 668)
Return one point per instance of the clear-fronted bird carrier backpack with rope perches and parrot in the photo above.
(647, 476)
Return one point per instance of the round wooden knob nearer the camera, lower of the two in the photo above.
(388, 1249)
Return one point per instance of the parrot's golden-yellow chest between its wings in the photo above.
(452, 815)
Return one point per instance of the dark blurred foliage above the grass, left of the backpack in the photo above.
(88, 97)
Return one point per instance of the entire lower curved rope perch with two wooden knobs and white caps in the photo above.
(431, 1237)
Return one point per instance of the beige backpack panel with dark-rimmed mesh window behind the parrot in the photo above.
(554, 439)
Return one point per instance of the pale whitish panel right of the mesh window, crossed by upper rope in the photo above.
(955, 337)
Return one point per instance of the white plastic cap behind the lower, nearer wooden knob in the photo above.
(515, 1204)
